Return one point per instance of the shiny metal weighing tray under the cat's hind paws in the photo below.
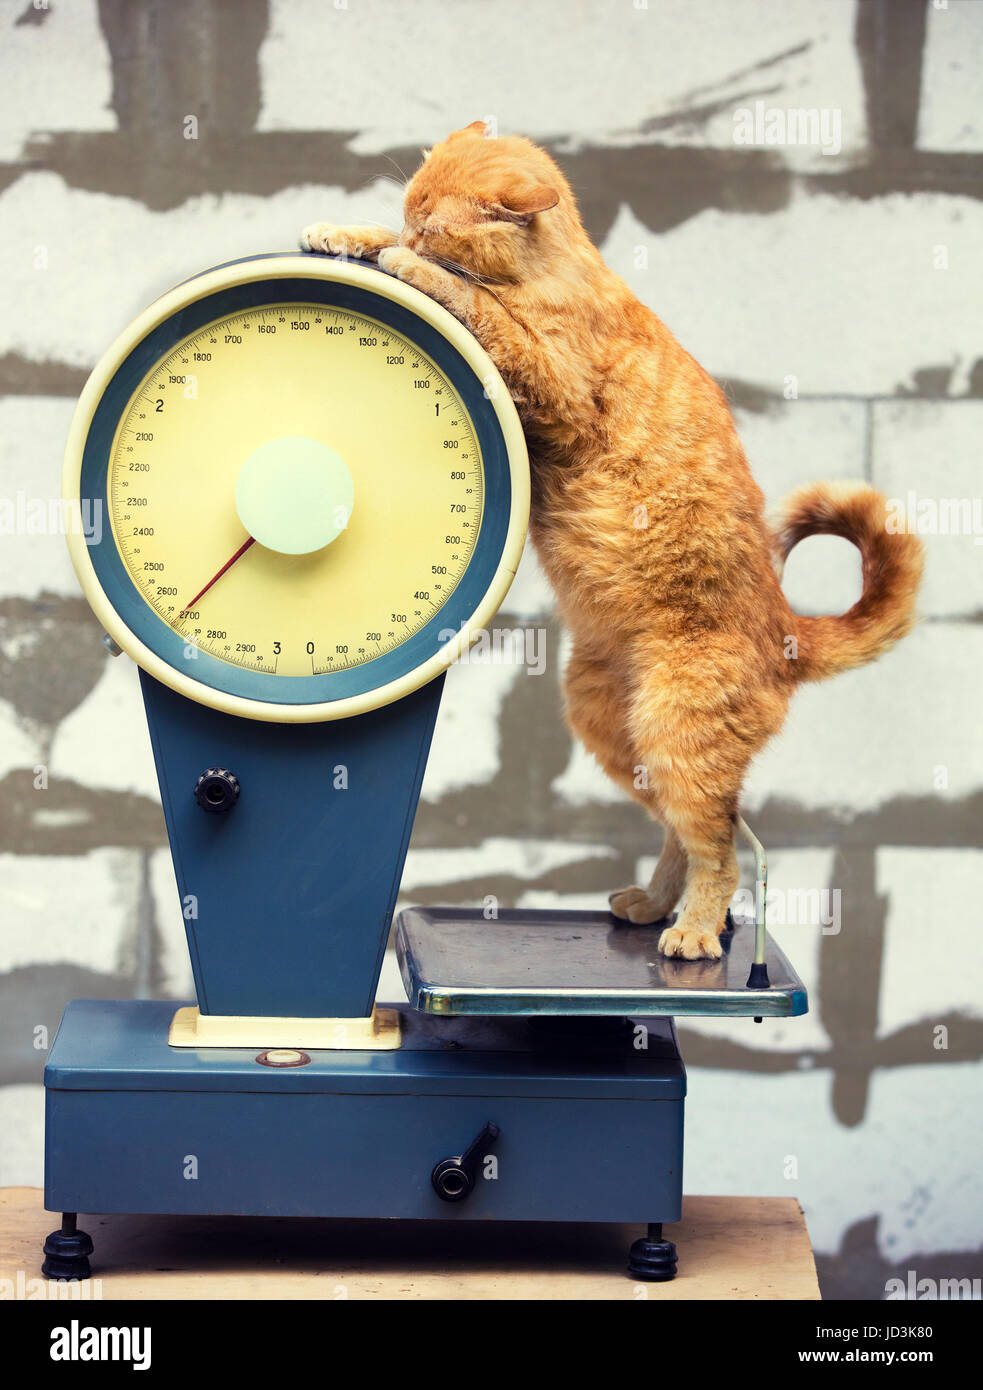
(457, 963)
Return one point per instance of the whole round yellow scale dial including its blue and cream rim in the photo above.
(312, 487)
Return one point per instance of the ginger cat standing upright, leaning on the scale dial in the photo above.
(646, 516)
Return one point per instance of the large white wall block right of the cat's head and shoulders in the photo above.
(827, 291)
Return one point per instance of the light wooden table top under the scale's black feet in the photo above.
(729, 1248)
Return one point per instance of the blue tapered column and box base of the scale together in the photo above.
(294, 894)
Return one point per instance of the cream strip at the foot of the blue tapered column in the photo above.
(380, 1032)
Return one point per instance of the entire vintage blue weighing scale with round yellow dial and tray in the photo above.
(314, 493)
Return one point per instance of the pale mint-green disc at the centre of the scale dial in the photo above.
(295, 496)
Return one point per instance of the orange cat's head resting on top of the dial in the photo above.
(498, 206)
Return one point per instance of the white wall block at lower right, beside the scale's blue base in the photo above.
(911, 1164)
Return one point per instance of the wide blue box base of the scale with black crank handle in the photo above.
(586, 1122)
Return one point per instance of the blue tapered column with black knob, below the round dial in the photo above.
(289, 897)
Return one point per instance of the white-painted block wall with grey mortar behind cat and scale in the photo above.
(835, 288)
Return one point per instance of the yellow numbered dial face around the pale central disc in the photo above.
(289, 370)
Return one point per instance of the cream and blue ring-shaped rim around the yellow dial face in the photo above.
(478, 614)
